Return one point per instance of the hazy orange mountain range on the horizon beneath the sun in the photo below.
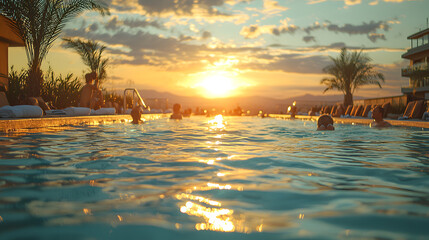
(253, 103)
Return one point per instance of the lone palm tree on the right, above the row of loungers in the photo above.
(350, 70)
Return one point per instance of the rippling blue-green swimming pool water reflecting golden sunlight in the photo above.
(250, 178)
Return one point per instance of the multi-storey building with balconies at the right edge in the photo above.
(417, 71)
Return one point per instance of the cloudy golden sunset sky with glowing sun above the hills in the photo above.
(239, 48)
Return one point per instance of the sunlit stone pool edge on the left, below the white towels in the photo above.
(26, 124)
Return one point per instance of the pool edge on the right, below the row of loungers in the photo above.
(360, 121)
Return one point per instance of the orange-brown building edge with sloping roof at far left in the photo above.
(8, 38)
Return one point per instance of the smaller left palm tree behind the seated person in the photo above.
(91, 54)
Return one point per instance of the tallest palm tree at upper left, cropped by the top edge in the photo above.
(39, 23)
